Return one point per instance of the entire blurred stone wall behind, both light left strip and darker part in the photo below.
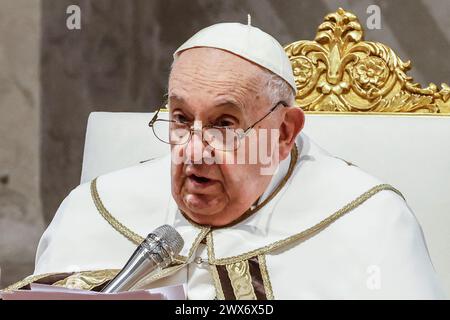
(51, 78)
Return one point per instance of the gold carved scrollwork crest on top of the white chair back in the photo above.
(340, 72)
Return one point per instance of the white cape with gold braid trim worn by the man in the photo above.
(331, 232)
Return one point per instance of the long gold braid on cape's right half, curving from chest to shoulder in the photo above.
(302, 235)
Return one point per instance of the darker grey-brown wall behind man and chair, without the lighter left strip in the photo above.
(119, 60)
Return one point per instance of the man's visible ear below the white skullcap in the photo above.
(294, 119)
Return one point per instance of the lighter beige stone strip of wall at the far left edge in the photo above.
(21, 221)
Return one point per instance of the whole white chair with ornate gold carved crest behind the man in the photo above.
(361, 106)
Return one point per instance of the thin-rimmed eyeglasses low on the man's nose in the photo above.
(176, 132)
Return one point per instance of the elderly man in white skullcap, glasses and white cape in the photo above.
(295, 223)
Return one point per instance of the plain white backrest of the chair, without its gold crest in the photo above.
(410, 152)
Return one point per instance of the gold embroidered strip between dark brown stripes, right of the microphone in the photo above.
(241, 280)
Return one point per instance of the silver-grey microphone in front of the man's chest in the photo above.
(153, 254)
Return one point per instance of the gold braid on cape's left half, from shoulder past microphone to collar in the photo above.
(130, 235)
